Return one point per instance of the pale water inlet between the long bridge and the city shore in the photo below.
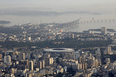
(87, 26)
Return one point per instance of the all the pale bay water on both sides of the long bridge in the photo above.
(15, 20)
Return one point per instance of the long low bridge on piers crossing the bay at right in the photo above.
(97, 21)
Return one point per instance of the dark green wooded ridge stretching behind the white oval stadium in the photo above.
(68, 43)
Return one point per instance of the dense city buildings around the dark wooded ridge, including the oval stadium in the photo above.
(56, 62)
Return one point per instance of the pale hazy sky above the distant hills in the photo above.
(62, 5)
